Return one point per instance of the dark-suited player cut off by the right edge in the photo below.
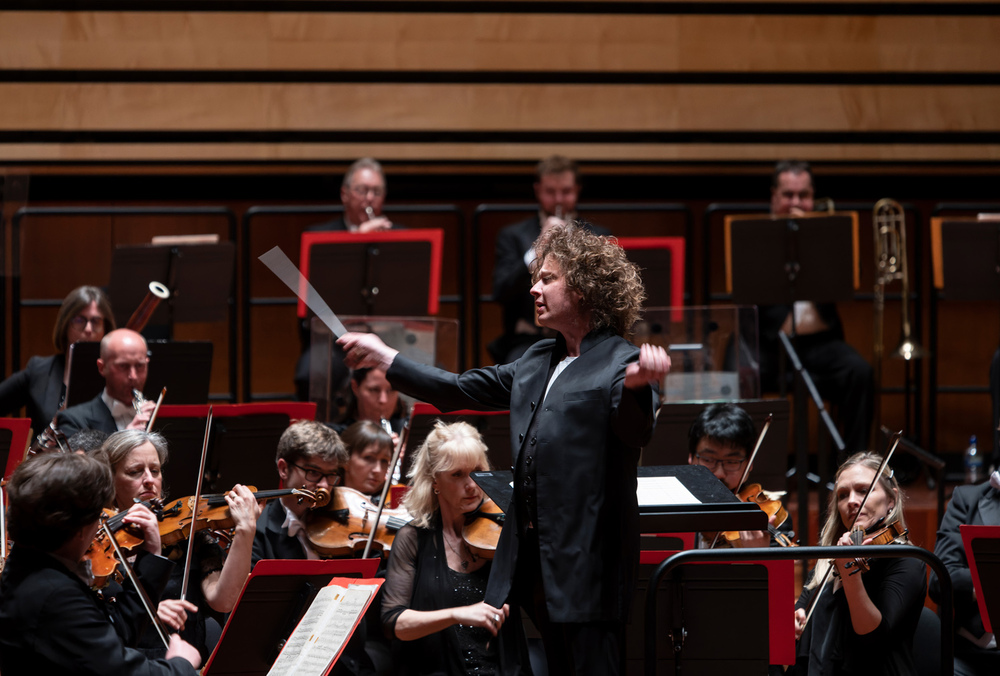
(975, 650)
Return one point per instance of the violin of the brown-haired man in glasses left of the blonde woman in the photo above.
(342, 528)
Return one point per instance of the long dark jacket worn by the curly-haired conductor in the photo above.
(589, 434)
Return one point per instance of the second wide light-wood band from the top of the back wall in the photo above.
(427, 110)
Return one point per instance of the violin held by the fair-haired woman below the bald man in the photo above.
(213, 511)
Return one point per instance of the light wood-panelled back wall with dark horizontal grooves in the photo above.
(494, 81)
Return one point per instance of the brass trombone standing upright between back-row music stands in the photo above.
(889, 225)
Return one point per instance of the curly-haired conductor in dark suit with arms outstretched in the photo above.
(581, 407)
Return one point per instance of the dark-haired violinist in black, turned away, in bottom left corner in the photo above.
(50, 620)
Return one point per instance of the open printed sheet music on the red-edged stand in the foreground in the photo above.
(322, 631)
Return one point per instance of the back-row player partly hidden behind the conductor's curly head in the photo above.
(556, 189)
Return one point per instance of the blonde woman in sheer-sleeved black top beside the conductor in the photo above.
(432, 597)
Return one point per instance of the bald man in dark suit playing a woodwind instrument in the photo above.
(123, 362)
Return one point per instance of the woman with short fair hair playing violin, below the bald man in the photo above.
(136, 459)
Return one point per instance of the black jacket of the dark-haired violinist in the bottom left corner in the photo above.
(51, 623)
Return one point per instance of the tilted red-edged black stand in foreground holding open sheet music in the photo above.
(294, 617)
